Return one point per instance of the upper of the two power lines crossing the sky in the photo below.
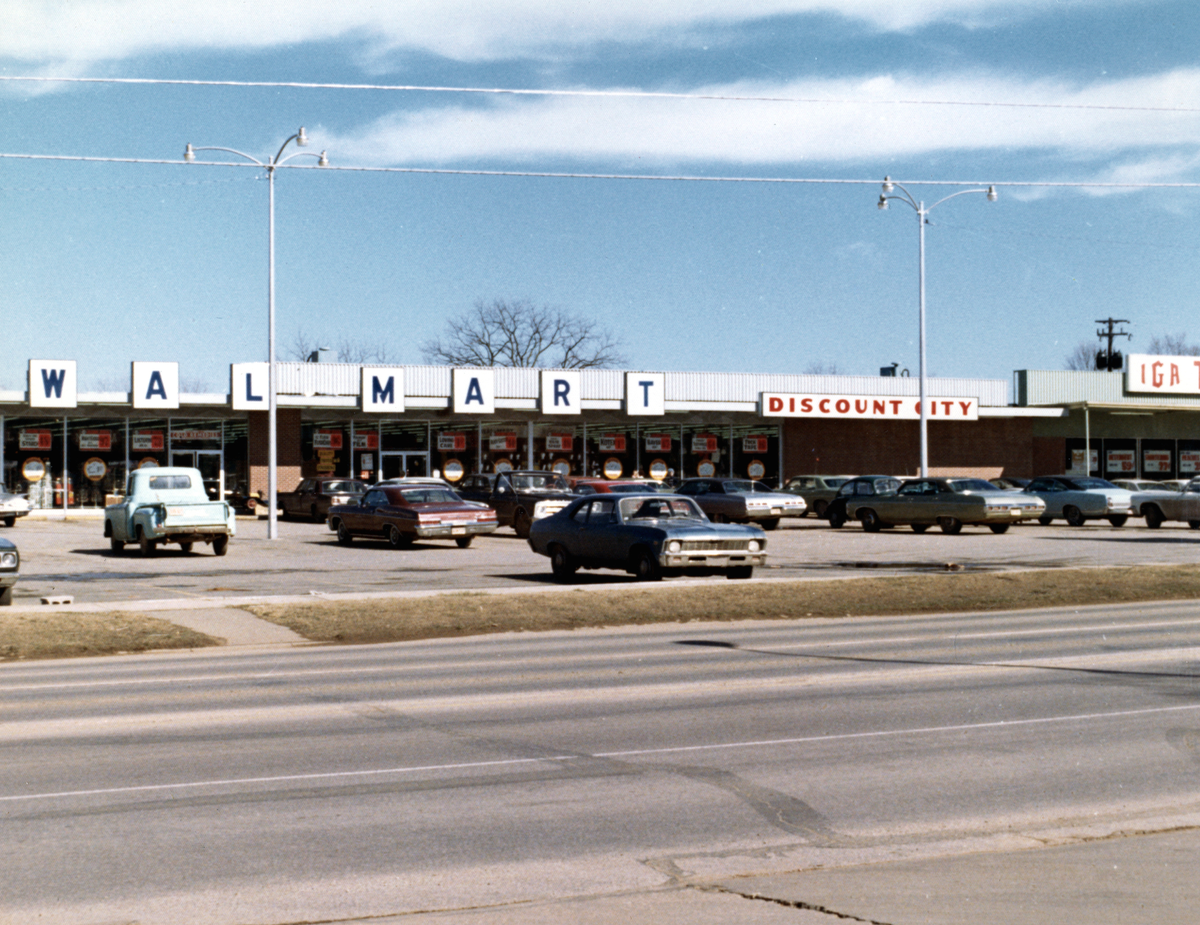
(627, 94)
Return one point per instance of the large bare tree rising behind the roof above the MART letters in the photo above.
(521, 334)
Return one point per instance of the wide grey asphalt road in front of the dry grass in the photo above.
(520, 773)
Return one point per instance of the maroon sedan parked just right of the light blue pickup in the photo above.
(404, 514)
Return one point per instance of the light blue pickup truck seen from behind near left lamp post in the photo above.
(167, 504)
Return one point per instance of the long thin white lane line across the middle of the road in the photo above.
(584, 756)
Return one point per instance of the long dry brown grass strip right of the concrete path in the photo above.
(469, 615)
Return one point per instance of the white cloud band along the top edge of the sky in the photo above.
(63, 32)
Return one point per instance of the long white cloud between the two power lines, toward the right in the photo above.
(671, 131)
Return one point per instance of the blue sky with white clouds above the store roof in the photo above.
(107, 263)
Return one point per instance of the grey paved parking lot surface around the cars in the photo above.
(73, 558)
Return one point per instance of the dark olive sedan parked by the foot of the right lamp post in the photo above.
(949, 503)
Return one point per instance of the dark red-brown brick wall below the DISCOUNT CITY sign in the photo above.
(986, 449)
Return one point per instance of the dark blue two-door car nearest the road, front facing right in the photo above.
(649, 536)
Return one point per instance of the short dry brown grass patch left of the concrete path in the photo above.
(74, 635)
